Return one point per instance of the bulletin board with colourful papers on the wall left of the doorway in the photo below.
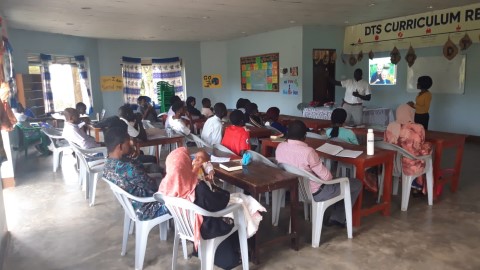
(260, 72)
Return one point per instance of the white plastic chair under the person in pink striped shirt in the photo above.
(318, 208)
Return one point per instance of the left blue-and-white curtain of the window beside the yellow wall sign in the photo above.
(132, 79)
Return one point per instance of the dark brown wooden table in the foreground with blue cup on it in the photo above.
(252, 178)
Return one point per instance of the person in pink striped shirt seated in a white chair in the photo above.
(297, 153)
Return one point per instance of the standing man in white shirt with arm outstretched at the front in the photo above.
(356, 91)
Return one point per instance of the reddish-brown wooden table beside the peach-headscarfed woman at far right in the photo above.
(440, 141)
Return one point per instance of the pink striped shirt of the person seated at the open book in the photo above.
(300, 155)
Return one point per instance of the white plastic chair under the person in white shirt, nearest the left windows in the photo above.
(89, 170)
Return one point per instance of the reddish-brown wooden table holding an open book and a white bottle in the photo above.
(361, 163)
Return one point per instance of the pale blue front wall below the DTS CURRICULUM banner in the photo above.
(448, 112)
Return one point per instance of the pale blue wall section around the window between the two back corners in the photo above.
(110, 53)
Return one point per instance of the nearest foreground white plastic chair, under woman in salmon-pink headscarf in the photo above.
(184, 212)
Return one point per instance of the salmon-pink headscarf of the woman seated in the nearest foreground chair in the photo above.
(180, 182)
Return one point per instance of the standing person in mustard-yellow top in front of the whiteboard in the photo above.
(422, 102)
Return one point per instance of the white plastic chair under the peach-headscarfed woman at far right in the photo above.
(407, 179)
